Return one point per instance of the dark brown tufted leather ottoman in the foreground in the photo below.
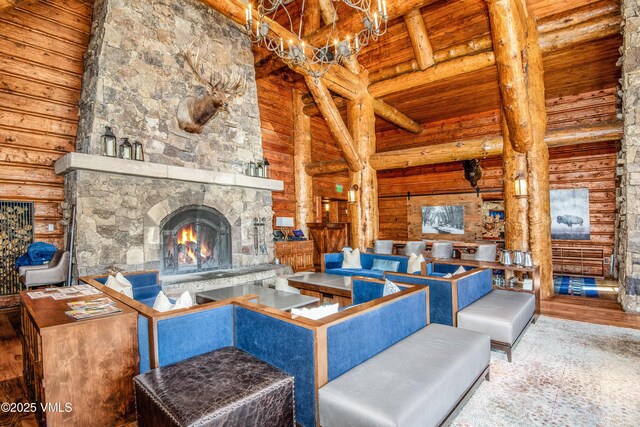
(226, 387)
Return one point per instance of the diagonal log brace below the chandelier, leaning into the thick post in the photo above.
(335, 123)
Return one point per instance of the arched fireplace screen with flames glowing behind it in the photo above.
(196, 238)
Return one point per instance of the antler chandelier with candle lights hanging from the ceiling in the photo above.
(315, 60)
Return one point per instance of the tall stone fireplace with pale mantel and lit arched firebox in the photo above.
(187, 208)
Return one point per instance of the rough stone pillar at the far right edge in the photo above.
(629, 162)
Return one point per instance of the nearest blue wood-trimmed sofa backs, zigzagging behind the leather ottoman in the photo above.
(315, 352)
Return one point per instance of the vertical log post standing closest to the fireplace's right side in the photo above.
(302, 157)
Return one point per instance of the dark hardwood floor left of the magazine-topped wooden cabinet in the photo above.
(11, 385)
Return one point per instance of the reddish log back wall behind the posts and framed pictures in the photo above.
(591, 166)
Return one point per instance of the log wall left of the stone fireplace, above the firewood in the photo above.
(41, 65)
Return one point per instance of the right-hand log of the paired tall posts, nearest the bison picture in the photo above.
(538, 164)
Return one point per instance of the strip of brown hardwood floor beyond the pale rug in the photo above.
(592, 310)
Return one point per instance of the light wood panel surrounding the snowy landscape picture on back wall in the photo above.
(472, 216)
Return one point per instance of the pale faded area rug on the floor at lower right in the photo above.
(564, 373)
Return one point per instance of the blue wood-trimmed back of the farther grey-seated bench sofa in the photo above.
(447, 296)
